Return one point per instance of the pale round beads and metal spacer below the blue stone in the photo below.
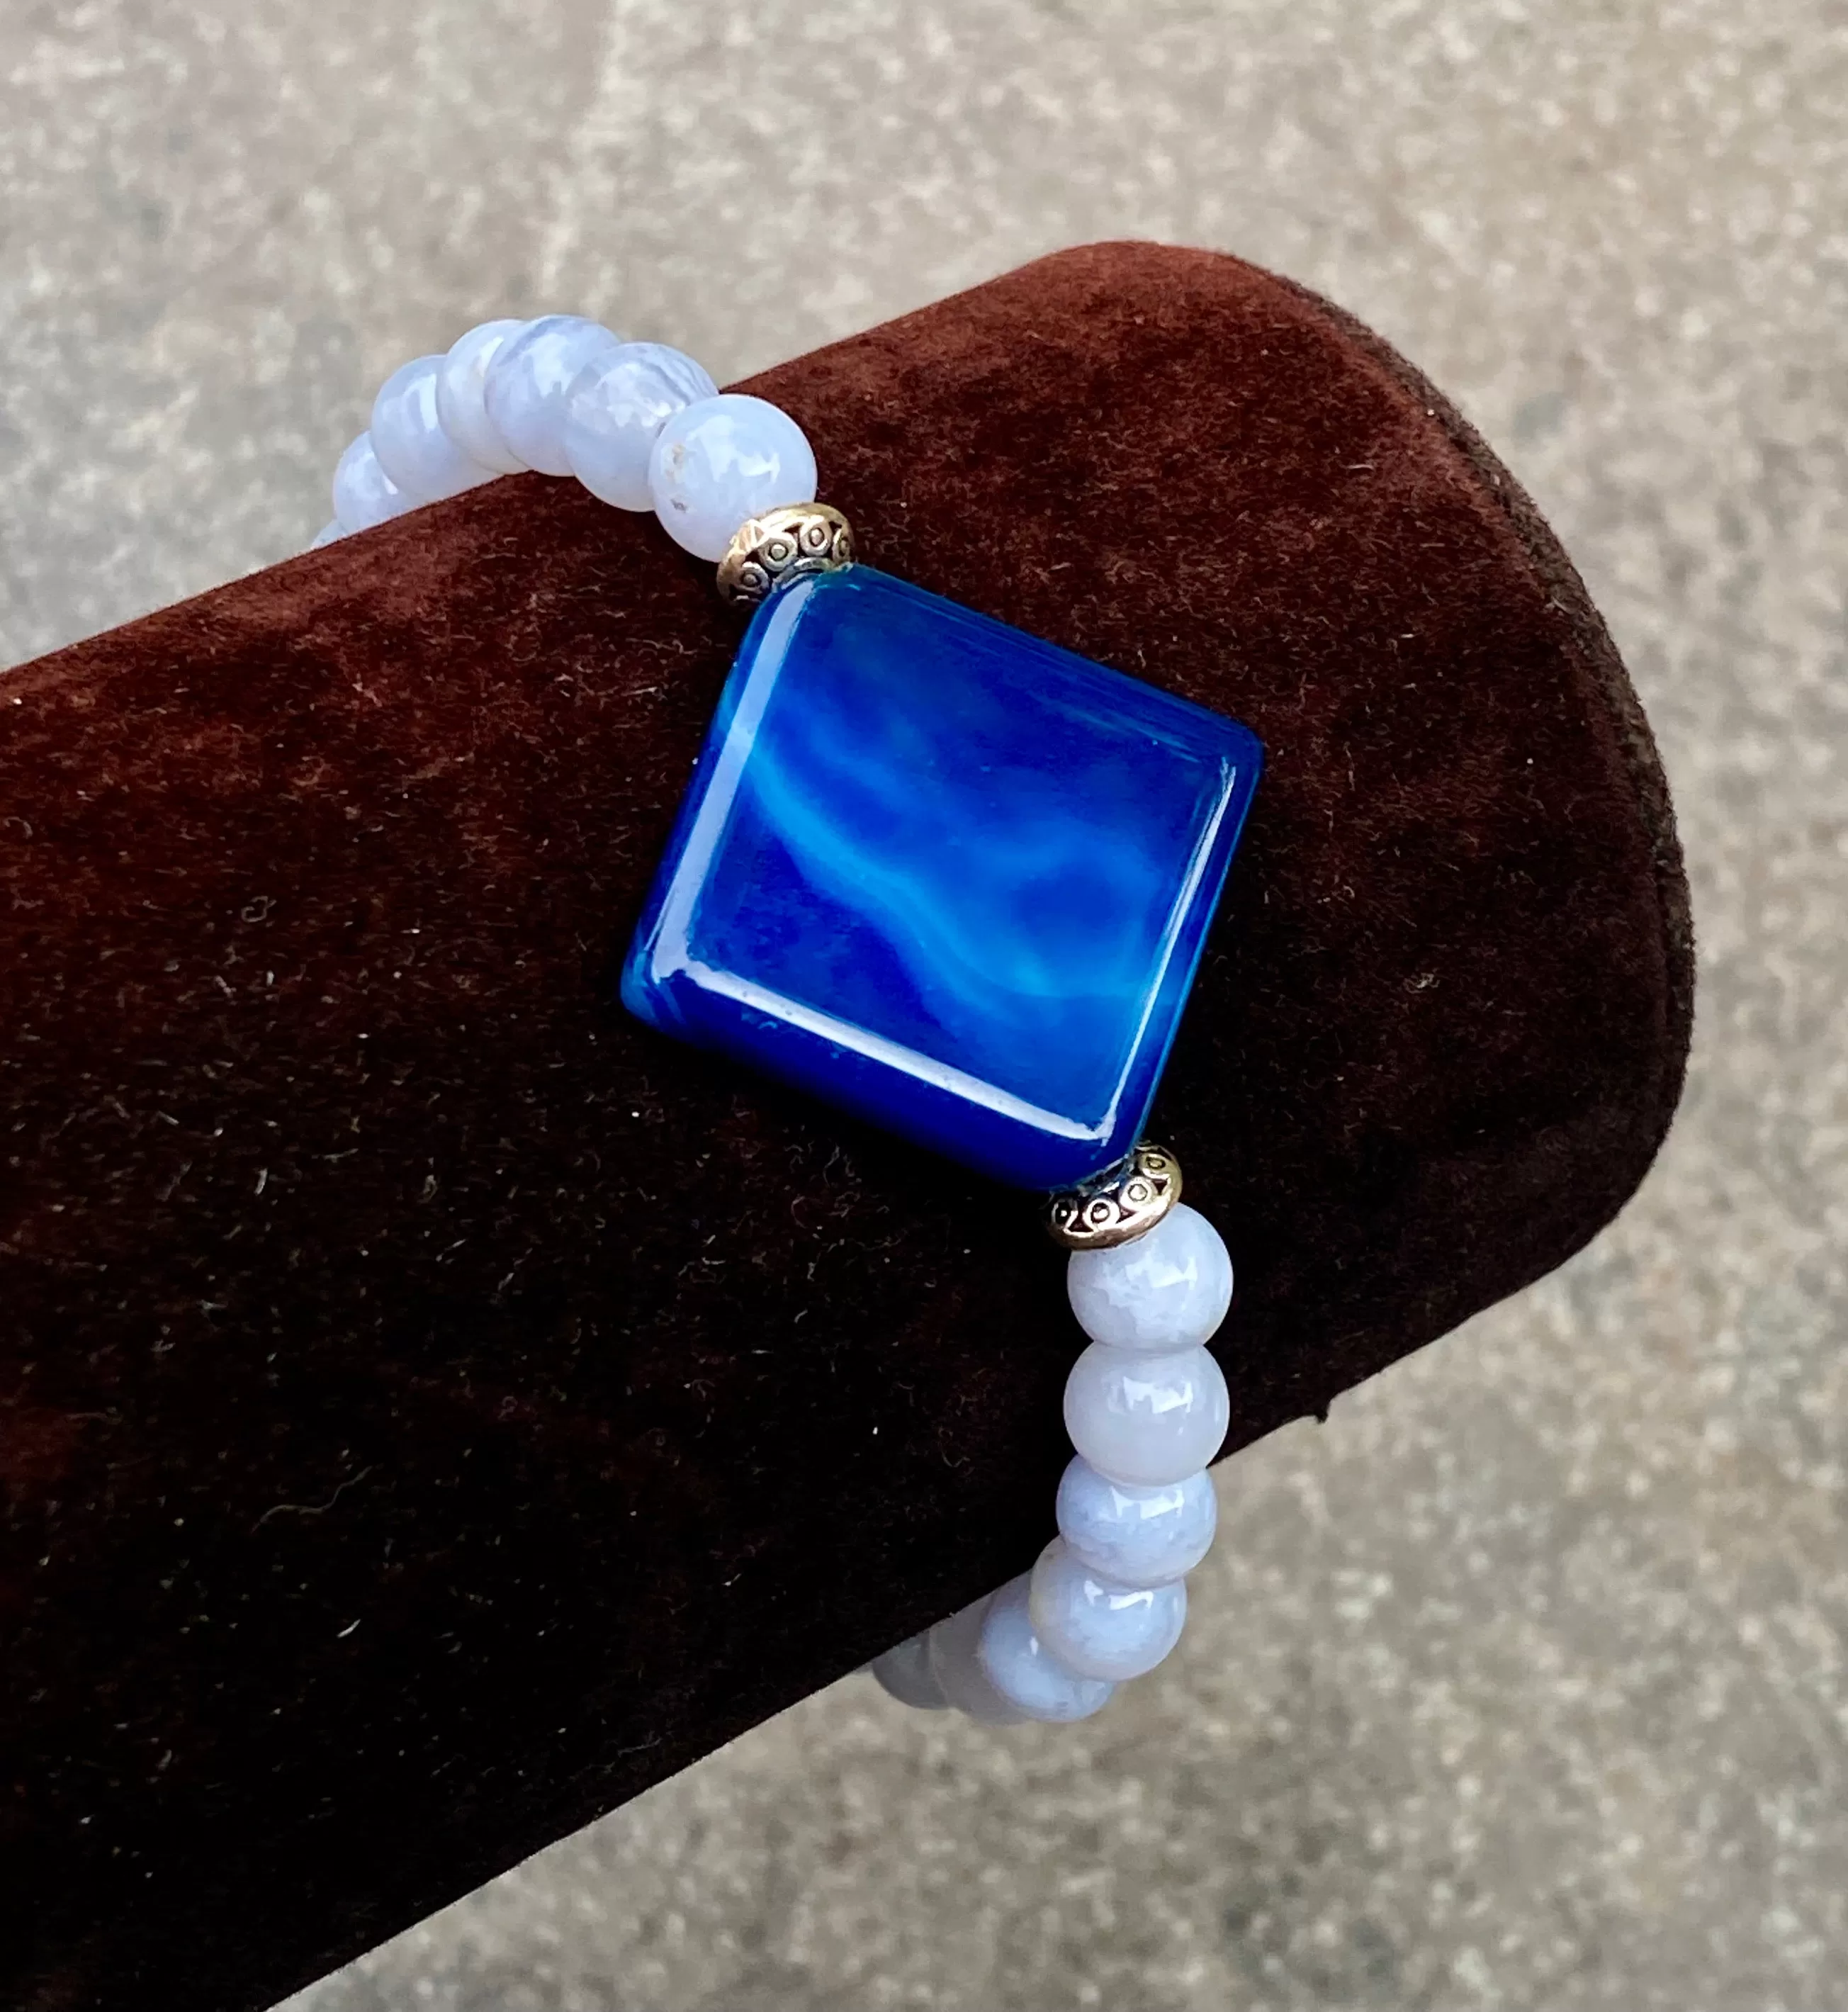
(1147, 1409)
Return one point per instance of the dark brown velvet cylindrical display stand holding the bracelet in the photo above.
(437, 1407)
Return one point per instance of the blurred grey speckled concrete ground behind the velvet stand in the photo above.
(1525, 1681)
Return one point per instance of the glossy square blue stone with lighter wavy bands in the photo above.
(946, 876)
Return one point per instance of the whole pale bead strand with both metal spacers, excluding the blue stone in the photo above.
(733, 480)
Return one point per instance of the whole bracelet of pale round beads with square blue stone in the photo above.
(942, 874)
